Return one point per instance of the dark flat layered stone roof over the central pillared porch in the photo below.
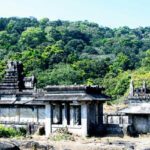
(74, 93)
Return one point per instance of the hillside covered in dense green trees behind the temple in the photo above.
(82, 52)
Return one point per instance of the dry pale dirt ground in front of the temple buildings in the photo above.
(93, 143)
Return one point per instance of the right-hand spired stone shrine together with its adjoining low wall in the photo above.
(134, 119)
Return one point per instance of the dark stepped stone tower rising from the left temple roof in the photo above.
(14, 81)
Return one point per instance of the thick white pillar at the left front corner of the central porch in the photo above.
(48, 119)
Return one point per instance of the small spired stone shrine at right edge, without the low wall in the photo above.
(138, 110)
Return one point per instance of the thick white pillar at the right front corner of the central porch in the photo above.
(84, 119)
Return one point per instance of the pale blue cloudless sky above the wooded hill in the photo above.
(111, 13)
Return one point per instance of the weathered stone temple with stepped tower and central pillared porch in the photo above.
(77, 107)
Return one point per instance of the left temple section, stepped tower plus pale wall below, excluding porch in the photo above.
(18, 106)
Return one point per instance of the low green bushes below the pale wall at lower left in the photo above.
(10, 132)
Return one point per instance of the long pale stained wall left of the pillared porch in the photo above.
(31, 114)
